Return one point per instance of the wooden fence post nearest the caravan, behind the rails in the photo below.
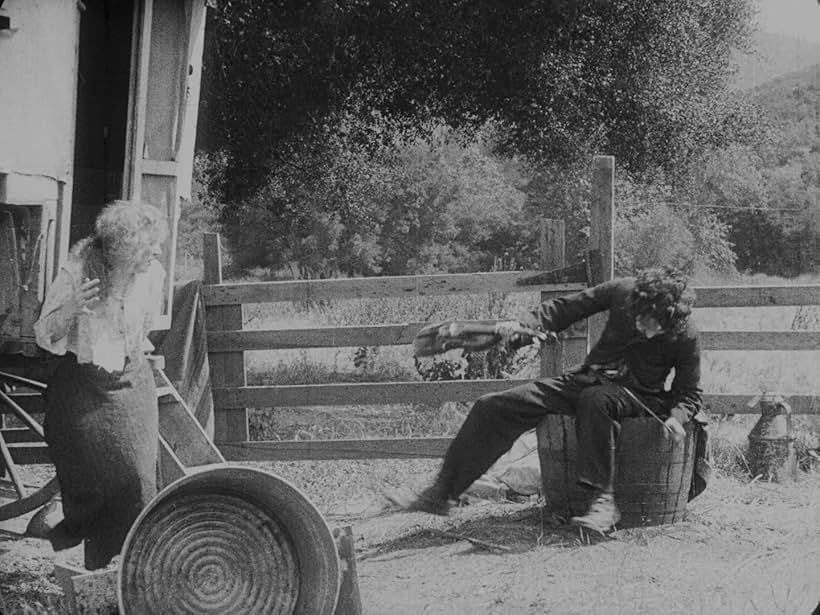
(227, 368)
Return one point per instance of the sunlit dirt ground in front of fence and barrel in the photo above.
(744, 547)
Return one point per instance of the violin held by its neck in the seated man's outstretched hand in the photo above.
(469, 335)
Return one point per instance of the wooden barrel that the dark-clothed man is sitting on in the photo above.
(652, 477)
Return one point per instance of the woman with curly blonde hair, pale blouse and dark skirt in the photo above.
(101, 421)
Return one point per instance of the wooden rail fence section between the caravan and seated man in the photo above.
(228, 342)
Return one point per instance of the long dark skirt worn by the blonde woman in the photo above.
(102, 432)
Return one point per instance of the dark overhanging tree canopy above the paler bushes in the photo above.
(644, 80)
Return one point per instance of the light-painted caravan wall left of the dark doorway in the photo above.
(38, 75)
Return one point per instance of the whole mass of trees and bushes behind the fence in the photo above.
(401, 136)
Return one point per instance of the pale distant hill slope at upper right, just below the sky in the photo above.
(775, 55)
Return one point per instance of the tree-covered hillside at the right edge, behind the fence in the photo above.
(767, 191)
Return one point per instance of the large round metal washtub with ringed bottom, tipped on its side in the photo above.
(229, 540)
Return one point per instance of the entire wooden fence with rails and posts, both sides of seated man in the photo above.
(228, 341)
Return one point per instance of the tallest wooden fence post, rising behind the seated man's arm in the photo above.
(602, 228)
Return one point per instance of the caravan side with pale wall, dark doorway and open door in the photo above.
(98, 102)
